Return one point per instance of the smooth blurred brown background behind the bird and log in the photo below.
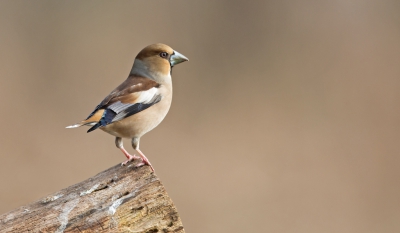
(286, 118)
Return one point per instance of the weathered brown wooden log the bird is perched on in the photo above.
(120, 199)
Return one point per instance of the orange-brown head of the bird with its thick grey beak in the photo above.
(157, 60)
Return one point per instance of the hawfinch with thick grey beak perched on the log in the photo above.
(139, 103)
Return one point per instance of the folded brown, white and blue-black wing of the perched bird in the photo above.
(134, 95)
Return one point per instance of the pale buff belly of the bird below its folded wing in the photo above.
(137, 125)
